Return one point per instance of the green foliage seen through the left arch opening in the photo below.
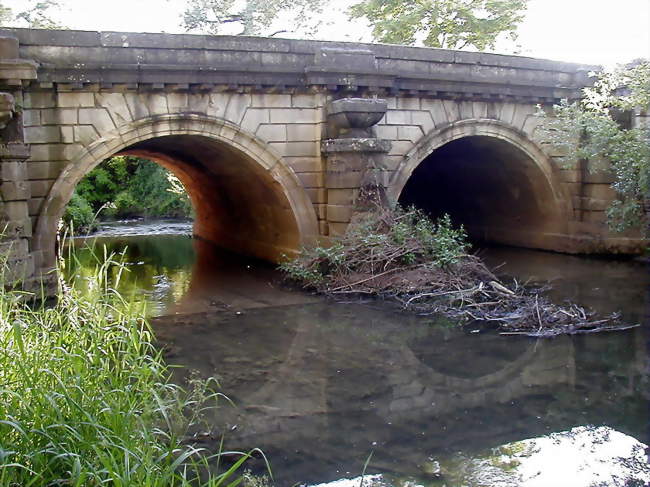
(126, 186)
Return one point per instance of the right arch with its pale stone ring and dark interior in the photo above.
(490, 177)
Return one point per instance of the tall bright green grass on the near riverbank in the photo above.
(85, 398)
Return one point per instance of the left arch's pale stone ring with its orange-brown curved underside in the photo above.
(245, 197)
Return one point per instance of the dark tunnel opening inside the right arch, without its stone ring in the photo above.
(494, 188)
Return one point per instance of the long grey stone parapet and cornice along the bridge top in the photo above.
(99, 60)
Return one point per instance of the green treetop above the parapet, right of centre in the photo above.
(450, 24)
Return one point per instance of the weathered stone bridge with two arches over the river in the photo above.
(281, 142)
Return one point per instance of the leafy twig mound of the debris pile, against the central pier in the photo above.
(384, 239)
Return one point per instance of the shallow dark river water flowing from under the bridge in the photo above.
(330, 391)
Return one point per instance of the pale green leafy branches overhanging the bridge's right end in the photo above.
(591, 130)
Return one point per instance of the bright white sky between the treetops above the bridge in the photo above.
(601, 32)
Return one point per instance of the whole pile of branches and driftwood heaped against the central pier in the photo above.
(403, 255)
